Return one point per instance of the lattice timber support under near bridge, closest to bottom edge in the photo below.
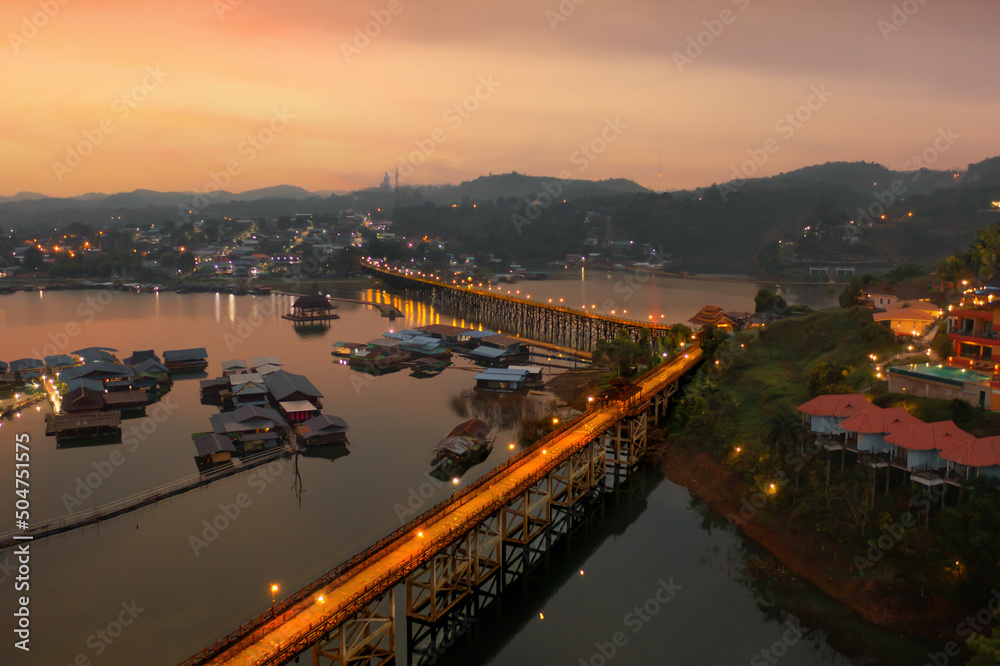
(367, 638)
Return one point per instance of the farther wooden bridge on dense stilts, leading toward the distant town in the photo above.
(532, 319)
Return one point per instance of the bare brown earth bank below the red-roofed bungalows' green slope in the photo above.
(822, 563)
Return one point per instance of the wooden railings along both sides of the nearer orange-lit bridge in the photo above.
(287, 608)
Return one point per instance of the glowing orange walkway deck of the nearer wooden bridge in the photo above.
(278, 639)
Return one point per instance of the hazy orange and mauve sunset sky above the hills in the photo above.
(185, 95)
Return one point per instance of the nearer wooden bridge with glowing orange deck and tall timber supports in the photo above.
(457, 557)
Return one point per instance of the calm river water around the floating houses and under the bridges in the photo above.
(156, 586)
